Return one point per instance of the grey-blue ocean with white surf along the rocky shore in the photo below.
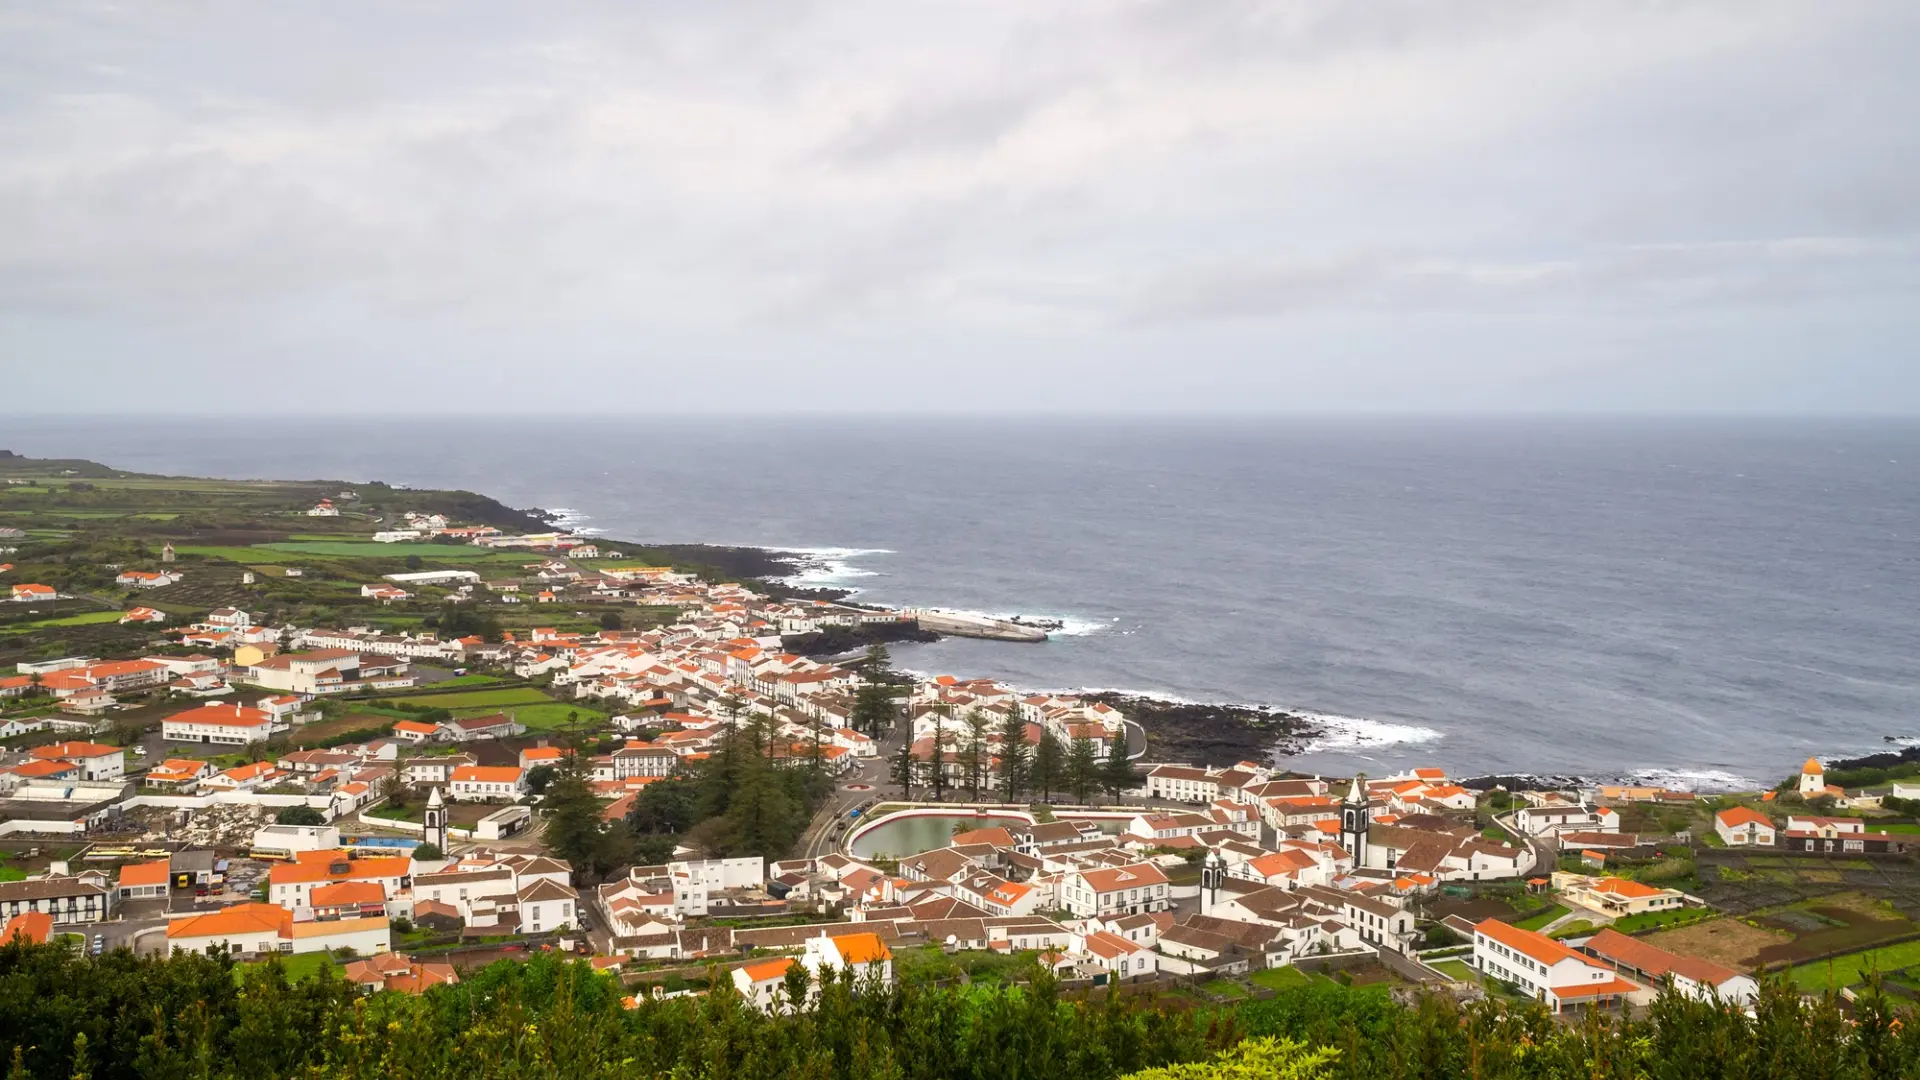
(1692, 602)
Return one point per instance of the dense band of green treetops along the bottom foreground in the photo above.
(189, 1018)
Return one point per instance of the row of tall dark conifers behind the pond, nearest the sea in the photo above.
(1017, 768)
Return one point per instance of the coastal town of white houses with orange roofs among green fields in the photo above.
(406, 745)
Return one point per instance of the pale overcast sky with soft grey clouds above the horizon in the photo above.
(792, 207)
